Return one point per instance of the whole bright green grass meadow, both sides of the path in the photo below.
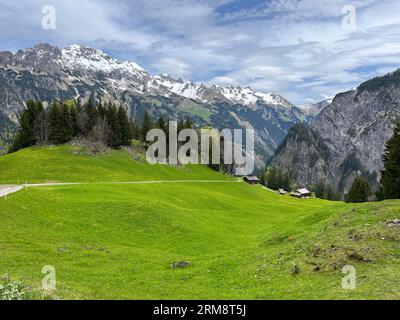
(118, 241)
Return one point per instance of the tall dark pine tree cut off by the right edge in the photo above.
(390, 178)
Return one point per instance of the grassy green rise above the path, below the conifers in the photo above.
(74, 164)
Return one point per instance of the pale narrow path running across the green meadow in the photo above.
(8, 189)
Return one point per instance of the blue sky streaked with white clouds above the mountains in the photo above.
(306, 50)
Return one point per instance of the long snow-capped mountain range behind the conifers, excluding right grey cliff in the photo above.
(45, 73)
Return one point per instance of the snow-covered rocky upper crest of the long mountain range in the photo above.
(84, 62)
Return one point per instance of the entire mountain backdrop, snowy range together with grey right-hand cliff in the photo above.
(333, 140)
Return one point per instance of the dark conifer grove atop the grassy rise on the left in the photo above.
(98, 123)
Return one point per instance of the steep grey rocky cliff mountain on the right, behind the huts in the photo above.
(346, 139)
